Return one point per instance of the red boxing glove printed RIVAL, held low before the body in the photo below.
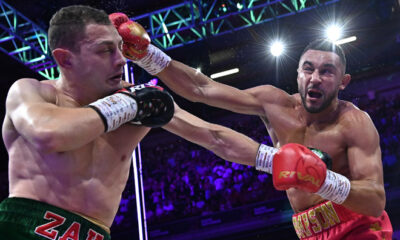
(295, 165)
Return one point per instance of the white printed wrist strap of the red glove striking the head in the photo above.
(155, 60)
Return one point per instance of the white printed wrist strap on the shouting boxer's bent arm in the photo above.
(336, 187)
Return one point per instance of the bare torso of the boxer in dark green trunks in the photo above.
(88, 180)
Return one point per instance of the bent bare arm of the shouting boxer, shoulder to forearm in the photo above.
(367, 193)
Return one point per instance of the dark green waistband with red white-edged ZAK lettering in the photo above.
(39, 218)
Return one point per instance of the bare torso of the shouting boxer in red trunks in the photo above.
(329, 135)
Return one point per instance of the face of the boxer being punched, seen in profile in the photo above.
(100, 61)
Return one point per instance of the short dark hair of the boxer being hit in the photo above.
(68, 24)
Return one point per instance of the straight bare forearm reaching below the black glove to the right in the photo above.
(224, 142)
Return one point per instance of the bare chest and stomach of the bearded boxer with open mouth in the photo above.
(328, 136)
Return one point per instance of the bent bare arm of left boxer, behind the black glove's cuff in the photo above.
(48, 127)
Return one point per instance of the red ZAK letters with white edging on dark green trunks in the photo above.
(48, 231)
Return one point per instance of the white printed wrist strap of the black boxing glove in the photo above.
(115, 110)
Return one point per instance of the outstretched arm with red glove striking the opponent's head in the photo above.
(181, 78)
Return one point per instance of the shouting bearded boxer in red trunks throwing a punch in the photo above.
(314, 117)
